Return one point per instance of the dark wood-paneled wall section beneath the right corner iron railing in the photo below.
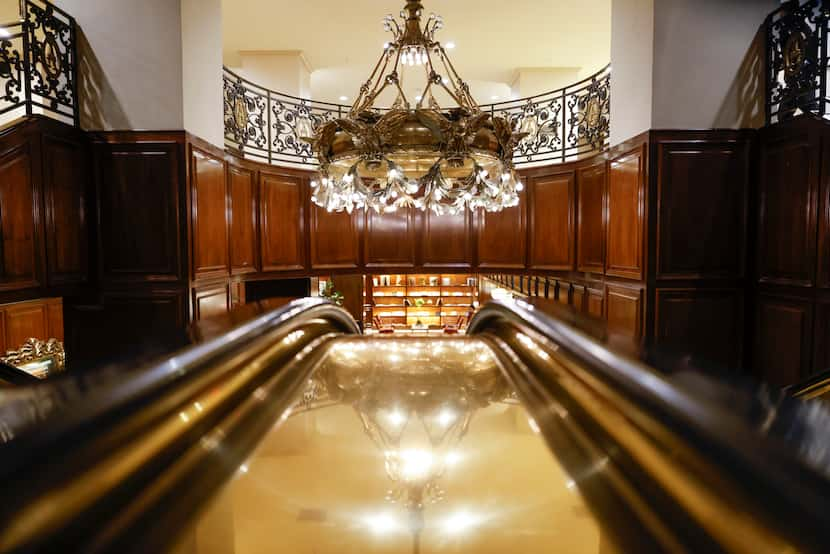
(792, 253)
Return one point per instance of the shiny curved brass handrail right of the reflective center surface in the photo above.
(649, 451)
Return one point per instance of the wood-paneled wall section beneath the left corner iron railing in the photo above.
(45, 234)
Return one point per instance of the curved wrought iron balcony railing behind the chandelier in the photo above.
(563, 124)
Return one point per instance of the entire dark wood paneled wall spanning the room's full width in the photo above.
(147, 231)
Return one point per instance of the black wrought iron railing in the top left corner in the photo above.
(39, 64)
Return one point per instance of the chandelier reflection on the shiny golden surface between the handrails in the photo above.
(415, 401)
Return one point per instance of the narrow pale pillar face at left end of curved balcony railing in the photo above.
(202, 69)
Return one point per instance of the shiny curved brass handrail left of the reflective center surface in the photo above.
(128, 465)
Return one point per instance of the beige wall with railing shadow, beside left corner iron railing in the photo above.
(131, 57)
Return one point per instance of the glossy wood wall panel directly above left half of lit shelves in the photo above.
(390, 239)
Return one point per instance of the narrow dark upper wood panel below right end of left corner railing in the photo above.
(65, 177)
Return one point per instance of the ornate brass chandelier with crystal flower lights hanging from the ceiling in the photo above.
(415, 153)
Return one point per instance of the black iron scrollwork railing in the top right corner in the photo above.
(796, 68)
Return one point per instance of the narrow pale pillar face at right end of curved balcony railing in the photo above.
(632, 35)
